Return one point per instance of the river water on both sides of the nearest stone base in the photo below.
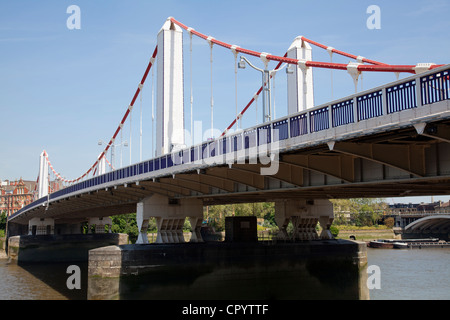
(408, 274)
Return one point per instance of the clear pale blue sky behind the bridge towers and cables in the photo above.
(62, 90)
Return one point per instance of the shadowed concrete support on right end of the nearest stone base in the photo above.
(304, 215)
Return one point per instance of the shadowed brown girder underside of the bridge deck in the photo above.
(408, 161)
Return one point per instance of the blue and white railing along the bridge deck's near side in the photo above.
(387, 99)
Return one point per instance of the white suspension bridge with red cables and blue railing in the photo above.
(388, 141)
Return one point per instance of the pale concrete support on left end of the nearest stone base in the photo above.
(170, 216)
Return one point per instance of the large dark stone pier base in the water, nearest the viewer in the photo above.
(328, 269)
